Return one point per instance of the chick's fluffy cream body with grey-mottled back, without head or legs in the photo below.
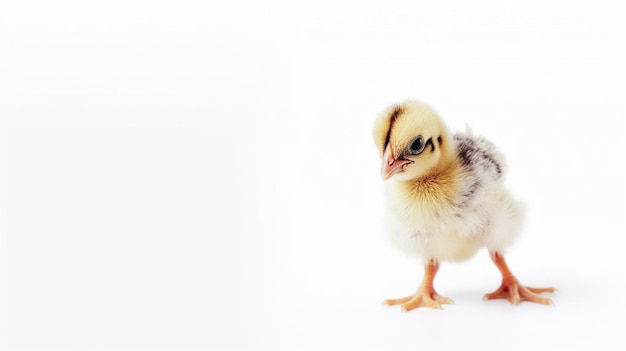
(452, 214)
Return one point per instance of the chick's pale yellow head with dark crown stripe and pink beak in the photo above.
(412, 141)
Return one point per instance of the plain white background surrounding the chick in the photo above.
(200, 174)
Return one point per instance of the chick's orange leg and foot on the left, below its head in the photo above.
(425, 296)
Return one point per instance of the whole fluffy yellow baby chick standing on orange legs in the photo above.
(446, 200)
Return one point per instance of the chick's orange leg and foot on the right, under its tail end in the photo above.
(511, 289)
